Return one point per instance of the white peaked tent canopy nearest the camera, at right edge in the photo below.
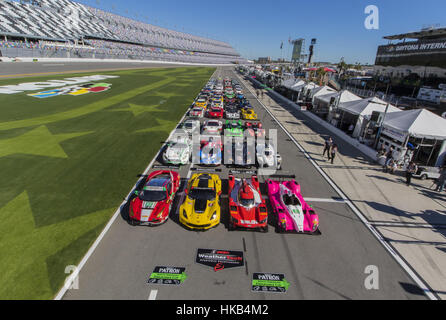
(419, 123)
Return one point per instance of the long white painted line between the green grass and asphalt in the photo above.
(70, 279)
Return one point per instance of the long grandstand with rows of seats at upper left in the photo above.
(66, 29)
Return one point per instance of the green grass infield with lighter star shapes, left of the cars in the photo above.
(66, 162)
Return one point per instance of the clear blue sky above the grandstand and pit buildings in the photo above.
(256, 28)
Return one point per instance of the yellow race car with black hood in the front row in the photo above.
(201, 208)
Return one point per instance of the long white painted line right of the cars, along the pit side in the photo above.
(372, 229)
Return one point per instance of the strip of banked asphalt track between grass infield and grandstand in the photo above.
(26, 69)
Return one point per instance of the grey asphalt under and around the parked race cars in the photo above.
(329, 266)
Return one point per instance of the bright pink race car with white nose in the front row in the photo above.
(293, 213)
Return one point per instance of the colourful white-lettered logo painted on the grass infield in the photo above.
(70, 86)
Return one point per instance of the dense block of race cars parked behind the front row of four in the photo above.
(245, 144)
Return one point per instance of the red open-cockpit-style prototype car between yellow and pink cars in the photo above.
(246, 205)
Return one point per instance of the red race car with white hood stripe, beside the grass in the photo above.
(154, 199)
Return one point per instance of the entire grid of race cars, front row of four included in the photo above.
(152, 201)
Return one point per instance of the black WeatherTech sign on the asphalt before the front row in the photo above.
(220, 259)
